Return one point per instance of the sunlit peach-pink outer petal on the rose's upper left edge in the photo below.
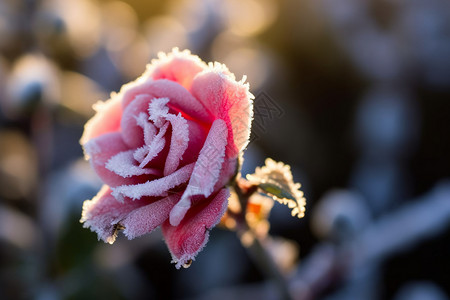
(106, 119)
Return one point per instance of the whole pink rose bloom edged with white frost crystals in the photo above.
(165, 147)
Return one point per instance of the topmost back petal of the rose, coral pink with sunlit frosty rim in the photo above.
(176, 66)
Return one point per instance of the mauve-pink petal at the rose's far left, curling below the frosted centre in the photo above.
(100, 150)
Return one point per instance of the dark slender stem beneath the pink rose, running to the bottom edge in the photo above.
(258, 252)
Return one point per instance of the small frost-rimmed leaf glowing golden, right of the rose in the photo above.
(275, 179)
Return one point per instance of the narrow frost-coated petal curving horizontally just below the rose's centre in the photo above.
(158, 187)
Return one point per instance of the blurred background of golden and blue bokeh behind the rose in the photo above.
(353, 94)
